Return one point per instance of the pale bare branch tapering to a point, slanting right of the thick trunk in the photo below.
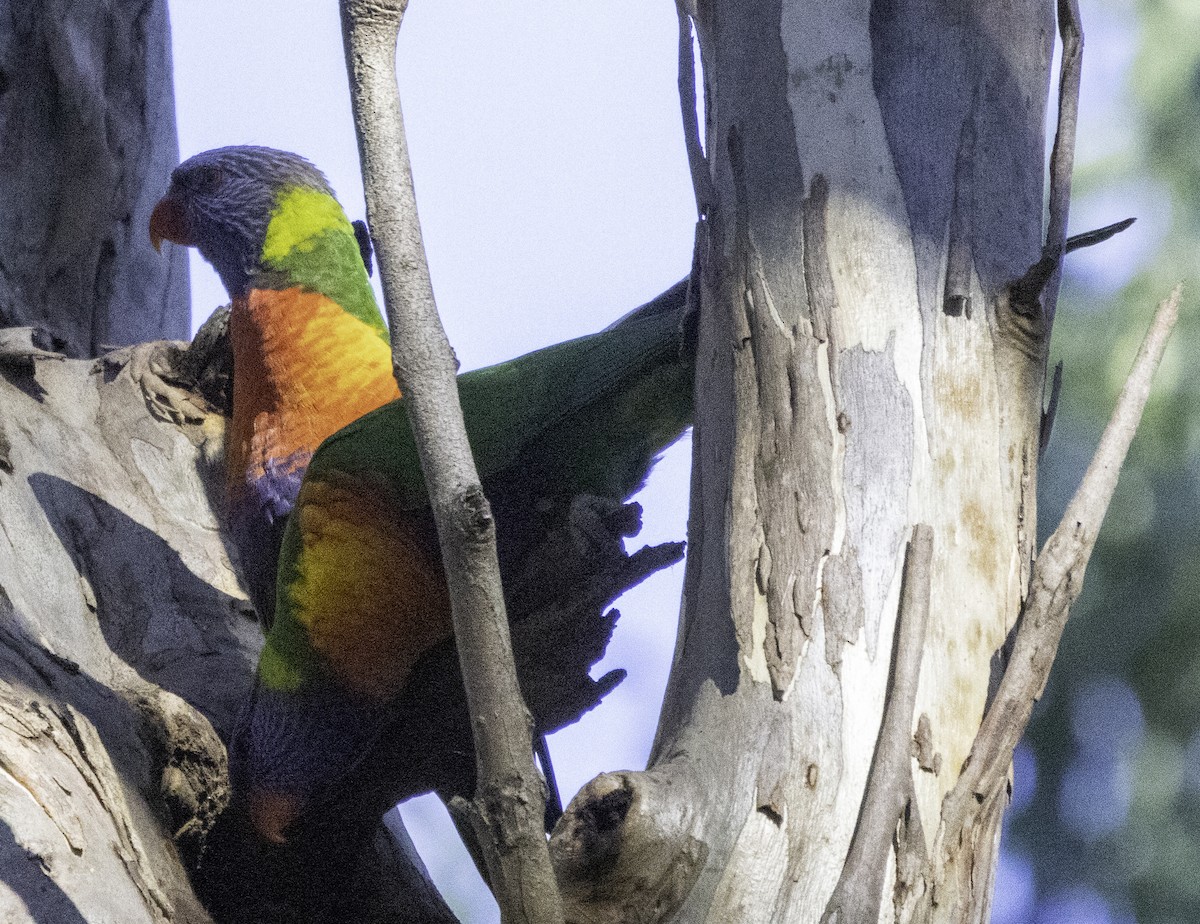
(1055, 585)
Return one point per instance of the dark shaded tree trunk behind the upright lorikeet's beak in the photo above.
(88, 117)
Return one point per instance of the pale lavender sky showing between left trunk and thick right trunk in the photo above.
(554, 195)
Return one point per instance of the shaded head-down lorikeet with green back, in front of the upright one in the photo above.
(362, 593)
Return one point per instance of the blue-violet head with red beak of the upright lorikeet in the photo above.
(221, 202)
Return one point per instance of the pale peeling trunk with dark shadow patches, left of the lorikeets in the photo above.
(125, 641)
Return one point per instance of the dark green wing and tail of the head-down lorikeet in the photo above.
(599, 409)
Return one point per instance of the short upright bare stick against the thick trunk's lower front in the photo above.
(860, 890)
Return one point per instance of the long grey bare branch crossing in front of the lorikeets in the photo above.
(511, 800)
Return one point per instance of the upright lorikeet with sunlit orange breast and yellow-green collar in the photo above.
(310, 346)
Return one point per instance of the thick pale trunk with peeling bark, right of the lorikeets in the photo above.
(877, 190)
